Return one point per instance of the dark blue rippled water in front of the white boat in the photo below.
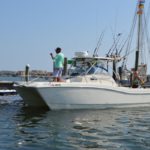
(23, 128)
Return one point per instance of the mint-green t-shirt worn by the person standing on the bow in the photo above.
(59, 60)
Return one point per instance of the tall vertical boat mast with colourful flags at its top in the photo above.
(140, 14)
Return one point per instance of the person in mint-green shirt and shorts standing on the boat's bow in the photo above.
(58, 64)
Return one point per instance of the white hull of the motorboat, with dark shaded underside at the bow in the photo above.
(63, 96)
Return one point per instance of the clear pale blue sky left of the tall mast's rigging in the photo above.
(31, 29)
